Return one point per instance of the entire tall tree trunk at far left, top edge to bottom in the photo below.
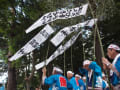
(12, 83)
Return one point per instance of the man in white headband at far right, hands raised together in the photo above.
(114, 67)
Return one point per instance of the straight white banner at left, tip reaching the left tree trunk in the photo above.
(37, 40)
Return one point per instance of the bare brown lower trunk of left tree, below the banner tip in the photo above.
(12, 85)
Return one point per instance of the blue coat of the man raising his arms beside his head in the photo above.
(96, 78)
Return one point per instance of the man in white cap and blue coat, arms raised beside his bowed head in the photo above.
(93, 73)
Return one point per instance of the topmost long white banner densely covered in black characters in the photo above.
(60, 14)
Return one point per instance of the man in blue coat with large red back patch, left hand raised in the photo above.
(56, 81)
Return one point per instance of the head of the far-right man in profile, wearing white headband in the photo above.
(113, 50)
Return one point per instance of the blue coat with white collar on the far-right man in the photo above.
(115, 79)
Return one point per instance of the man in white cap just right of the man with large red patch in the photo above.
(73, 81)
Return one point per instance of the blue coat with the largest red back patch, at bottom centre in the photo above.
(57, 82)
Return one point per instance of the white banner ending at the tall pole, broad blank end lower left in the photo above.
(62, 34)
